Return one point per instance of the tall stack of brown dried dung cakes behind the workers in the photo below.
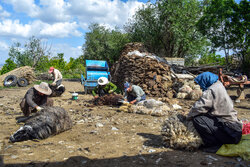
(142, 68)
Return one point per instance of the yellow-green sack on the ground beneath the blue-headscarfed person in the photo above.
(241, 149)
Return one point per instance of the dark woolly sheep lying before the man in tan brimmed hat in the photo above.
(47, 122)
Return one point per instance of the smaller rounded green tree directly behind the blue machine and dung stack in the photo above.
(103, 43)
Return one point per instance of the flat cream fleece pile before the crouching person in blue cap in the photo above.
(148, 107)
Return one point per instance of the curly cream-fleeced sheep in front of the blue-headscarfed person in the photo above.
(179, 133)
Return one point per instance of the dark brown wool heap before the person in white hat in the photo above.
(109, 99)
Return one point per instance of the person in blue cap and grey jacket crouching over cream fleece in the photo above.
(133, 93)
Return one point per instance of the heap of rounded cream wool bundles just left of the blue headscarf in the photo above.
(189, 90)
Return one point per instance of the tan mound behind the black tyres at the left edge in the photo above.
(22, 72)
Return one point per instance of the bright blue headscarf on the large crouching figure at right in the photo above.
(206, 79)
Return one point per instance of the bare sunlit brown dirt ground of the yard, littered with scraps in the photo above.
(101, 136)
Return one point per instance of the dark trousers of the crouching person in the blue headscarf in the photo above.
(216, 132)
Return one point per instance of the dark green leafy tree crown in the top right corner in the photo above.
(226, 24)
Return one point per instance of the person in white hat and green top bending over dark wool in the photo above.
(103, 87)
